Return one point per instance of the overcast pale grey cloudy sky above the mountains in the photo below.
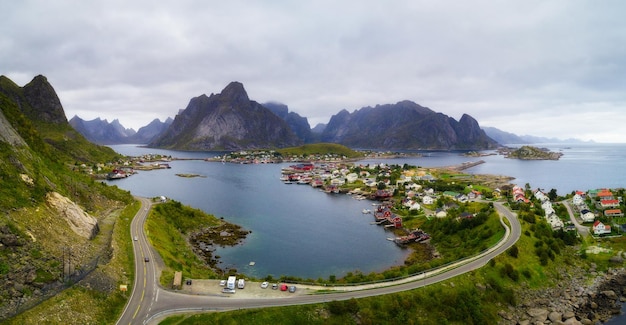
(554, 69)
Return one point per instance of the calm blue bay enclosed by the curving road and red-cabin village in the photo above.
(296, 229)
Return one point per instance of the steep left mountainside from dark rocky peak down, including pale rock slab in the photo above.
(49, 232)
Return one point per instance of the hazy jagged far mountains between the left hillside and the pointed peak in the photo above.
(101, 131)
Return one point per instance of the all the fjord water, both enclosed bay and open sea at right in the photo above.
(300, 231)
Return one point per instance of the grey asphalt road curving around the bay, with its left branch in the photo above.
(149, 303)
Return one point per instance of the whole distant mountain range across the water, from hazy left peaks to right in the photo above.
(229, 120)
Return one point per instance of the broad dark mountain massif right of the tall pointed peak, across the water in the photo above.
(405, 125)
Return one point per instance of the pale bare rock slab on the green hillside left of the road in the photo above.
(79, 221)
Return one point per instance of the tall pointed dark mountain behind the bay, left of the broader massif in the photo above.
(226, 121)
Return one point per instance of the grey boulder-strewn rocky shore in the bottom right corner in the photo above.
(576, 299)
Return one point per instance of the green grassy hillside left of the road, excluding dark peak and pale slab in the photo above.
(40, 254)
